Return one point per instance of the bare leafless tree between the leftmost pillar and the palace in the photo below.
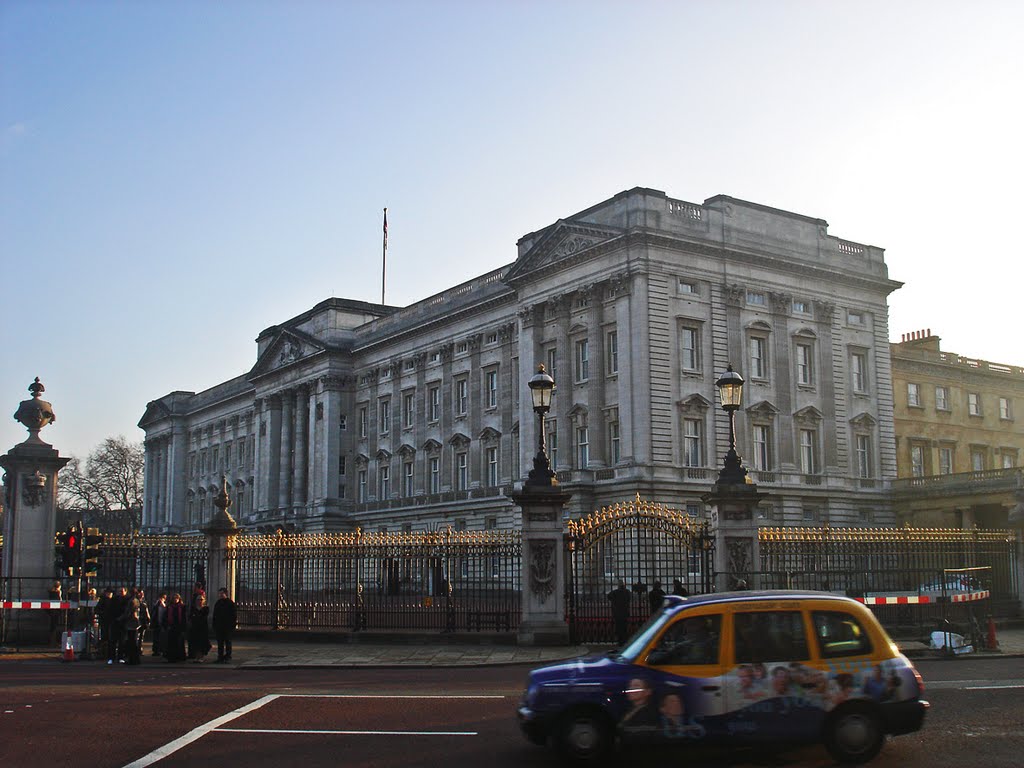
(107, 489)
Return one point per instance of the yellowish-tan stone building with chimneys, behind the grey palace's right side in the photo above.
(959, 443)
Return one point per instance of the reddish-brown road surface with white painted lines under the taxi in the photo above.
(190, 715)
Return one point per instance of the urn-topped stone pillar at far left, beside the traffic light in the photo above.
(30, 524)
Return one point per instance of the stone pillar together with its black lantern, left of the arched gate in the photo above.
(543, 621)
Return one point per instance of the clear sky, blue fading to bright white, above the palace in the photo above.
(178, 177)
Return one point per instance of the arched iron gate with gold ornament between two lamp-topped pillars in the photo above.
(642, 544)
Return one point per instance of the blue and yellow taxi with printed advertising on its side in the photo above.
(738, 669)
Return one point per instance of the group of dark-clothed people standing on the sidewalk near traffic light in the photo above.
(179, 632)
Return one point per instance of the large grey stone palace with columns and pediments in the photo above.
(417, 417)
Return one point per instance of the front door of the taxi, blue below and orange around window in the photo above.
(678, 694)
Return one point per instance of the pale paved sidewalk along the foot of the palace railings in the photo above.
(275, 654)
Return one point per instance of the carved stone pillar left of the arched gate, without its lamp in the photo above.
(543, 621)
